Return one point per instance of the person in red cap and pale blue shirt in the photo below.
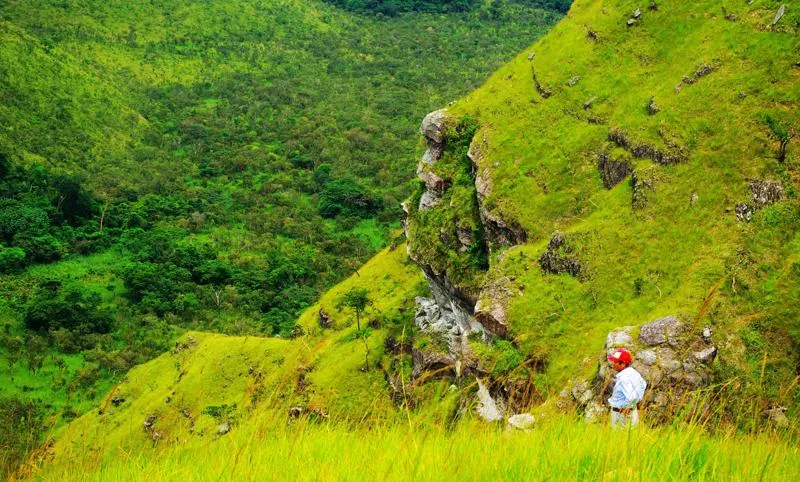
(628, 389)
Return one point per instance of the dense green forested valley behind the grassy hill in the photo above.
(207, 165)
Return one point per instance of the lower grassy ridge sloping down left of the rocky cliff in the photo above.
(209, 384)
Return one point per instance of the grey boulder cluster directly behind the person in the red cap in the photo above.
(672, 359)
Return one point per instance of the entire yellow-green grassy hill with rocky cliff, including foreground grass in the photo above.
(638, 163)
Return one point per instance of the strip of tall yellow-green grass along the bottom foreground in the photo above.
(558, 448)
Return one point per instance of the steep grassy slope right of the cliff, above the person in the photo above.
(687, 103)
